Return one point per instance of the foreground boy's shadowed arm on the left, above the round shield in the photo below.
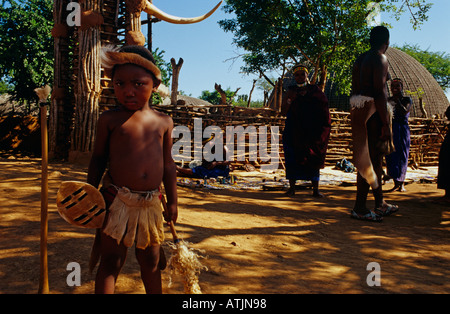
(100, 153)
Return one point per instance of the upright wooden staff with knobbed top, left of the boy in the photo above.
(43, 277)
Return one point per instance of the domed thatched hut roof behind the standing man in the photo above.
(414, 76)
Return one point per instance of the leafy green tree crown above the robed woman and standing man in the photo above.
(325, 35)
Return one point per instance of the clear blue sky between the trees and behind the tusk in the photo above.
(210, 56)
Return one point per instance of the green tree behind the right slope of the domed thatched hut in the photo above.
(437, 63)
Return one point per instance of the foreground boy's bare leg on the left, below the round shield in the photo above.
(113, 257)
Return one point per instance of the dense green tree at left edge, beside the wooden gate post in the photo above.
(26, 46)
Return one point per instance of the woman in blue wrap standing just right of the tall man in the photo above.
(397, 162)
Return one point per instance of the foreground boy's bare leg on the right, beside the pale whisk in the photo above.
(148, 259)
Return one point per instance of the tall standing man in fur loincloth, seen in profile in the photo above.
(371, 125)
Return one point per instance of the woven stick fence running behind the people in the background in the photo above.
(426, 134)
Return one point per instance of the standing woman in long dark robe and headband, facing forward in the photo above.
(306, 132)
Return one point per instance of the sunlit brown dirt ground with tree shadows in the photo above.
(254, 241)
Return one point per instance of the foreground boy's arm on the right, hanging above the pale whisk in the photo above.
(170, 176)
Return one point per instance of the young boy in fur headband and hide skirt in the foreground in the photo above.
(135, 141)
